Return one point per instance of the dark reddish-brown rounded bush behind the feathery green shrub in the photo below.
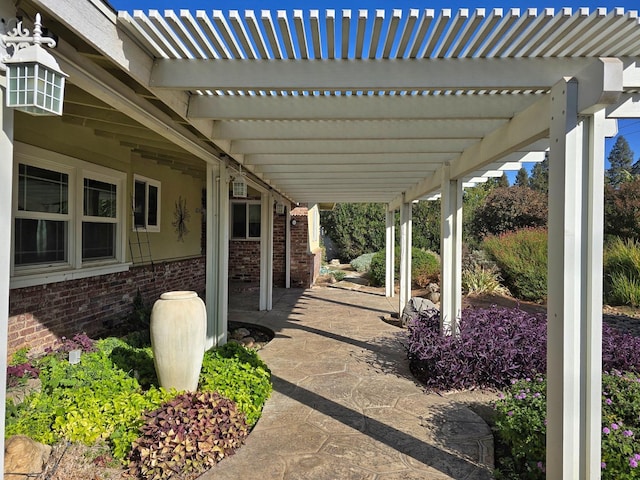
(508, 209)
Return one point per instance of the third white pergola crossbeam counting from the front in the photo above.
(353, 129)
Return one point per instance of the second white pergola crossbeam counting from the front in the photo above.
(354, 107)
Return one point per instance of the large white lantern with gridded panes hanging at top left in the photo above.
(35, 82)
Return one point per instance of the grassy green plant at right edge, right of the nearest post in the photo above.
(622, 272)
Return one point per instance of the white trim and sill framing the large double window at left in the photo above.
(77, 170)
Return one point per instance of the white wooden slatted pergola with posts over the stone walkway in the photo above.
(379, 106)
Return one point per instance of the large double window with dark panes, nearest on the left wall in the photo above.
(67, 213)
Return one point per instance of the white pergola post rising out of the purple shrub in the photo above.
(450, 253)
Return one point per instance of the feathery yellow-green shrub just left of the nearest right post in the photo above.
(522, 259)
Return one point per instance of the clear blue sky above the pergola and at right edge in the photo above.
(629, 128)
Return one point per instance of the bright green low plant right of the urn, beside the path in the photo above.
(237, 373)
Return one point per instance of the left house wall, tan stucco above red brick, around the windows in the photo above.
(62, 301)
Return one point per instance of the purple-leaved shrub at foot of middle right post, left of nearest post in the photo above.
(495, 345)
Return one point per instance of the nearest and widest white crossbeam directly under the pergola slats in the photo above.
(363, 74)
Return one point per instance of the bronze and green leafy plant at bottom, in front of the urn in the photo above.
(187, 435)
